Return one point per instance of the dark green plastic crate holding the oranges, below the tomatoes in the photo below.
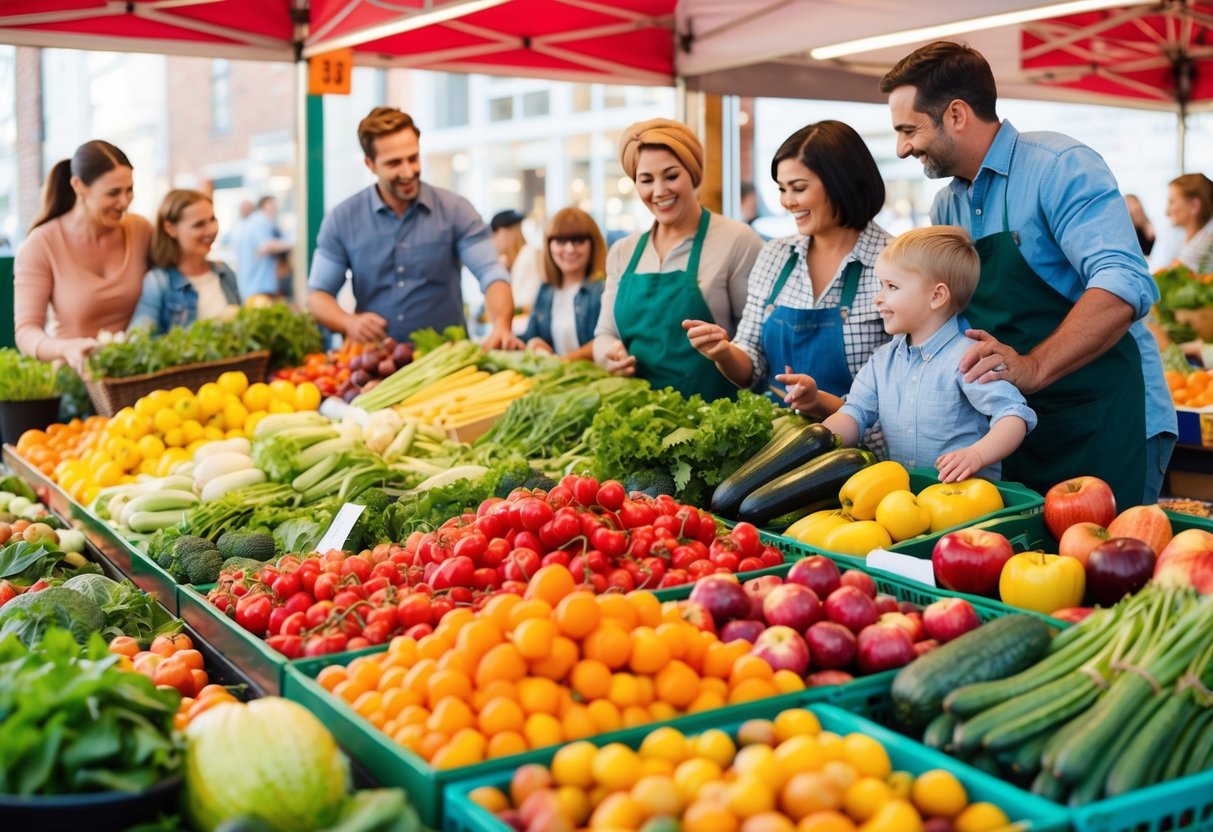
(395, 766)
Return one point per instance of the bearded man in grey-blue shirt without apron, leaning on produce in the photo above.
(403, 242)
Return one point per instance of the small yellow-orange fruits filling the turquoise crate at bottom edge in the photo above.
(778, 774)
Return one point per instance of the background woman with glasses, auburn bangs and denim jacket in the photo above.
(570, 301)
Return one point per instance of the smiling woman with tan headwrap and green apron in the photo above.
(692, 265)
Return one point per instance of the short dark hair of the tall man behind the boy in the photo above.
(942, 73)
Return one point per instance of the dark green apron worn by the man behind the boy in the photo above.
(1091, 421)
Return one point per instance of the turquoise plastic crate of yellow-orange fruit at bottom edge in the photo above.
(1037, 814)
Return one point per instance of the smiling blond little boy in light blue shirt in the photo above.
(929, 413)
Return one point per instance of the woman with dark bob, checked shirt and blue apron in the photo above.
(811, 320)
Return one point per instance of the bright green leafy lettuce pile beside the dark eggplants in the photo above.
(697, 443)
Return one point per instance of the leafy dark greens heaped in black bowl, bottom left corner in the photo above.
(72, 721)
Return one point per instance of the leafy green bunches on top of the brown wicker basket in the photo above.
(288, 335)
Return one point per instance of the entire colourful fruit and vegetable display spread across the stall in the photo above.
(545, 625)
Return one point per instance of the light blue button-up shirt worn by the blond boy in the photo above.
(924, 403)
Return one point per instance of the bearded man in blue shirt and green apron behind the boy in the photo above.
(1063, 286)
